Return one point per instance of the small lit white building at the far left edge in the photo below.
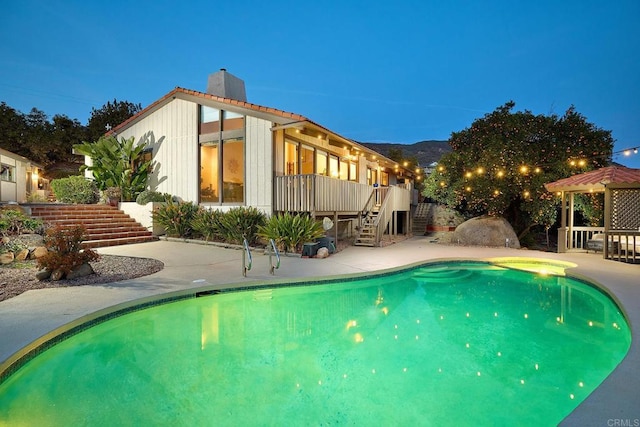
(19, 177)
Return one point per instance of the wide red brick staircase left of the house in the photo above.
(105, 225)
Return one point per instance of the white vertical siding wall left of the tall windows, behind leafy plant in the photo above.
(173, 131)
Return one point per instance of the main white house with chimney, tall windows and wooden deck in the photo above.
(218, 150)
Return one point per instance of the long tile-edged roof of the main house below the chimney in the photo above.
(281, 117)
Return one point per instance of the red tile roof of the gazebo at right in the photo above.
(597, 180)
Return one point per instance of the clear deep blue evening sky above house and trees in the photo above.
(374, 71)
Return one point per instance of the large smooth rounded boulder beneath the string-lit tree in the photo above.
(486, 231)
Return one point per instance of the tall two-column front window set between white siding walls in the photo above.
(221, 156)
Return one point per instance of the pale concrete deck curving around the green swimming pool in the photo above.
(29, 316)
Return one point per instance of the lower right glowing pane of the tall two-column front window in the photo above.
(233, 170)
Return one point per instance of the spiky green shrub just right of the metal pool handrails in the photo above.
(289, 232)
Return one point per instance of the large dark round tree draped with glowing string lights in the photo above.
(499, 165)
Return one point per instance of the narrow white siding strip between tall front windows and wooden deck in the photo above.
(259, 164)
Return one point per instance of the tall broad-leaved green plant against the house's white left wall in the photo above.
(118, 164)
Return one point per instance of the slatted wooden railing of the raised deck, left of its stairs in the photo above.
(318, 193)
